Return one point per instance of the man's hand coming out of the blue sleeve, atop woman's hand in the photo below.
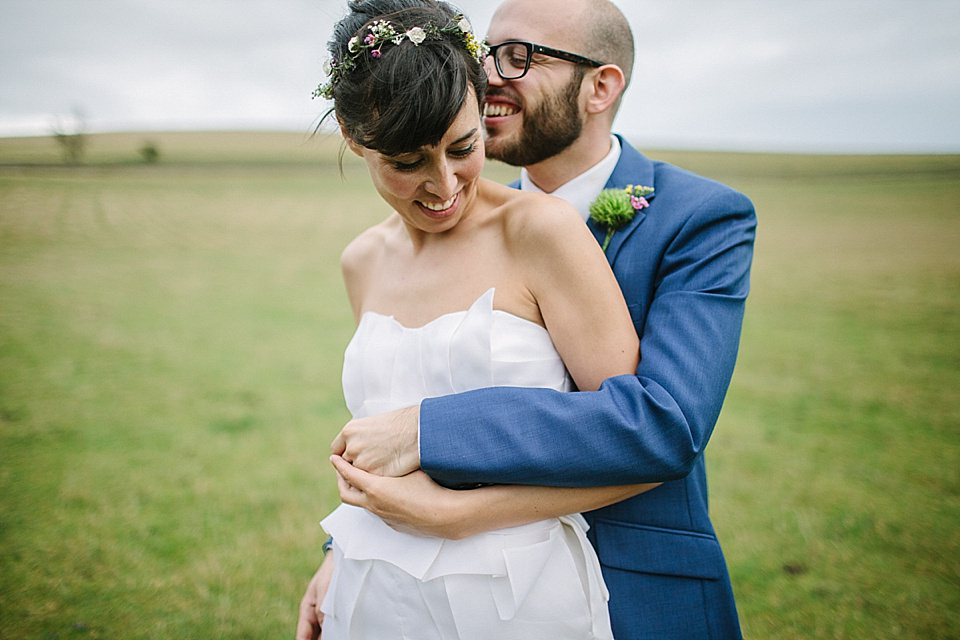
(386, 444)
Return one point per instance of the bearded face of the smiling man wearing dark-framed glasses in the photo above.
(536, 117)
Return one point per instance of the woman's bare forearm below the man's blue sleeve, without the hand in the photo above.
(501, 506)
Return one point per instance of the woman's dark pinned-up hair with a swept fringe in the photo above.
(409, 96)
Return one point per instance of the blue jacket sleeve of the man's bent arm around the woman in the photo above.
(648, 427)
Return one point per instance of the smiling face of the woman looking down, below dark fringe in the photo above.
(432, 187)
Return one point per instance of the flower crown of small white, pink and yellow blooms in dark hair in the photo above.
(380, 33)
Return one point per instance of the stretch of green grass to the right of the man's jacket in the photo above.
(836, 466)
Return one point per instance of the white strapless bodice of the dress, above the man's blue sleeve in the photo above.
(388, 366)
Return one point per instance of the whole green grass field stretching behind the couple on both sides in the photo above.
(170, 351)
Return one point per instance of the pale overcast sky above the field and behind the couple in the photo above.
(780, 75)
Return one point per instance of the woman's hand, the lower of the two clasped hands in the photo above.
(412, 503)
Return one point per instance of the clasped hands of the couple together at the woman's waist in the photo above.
(377, 459)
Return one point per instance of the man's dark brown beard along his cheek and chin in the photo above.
(547, 130)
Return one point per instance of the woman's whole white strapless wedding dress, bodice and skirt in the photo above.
(540, 580)
